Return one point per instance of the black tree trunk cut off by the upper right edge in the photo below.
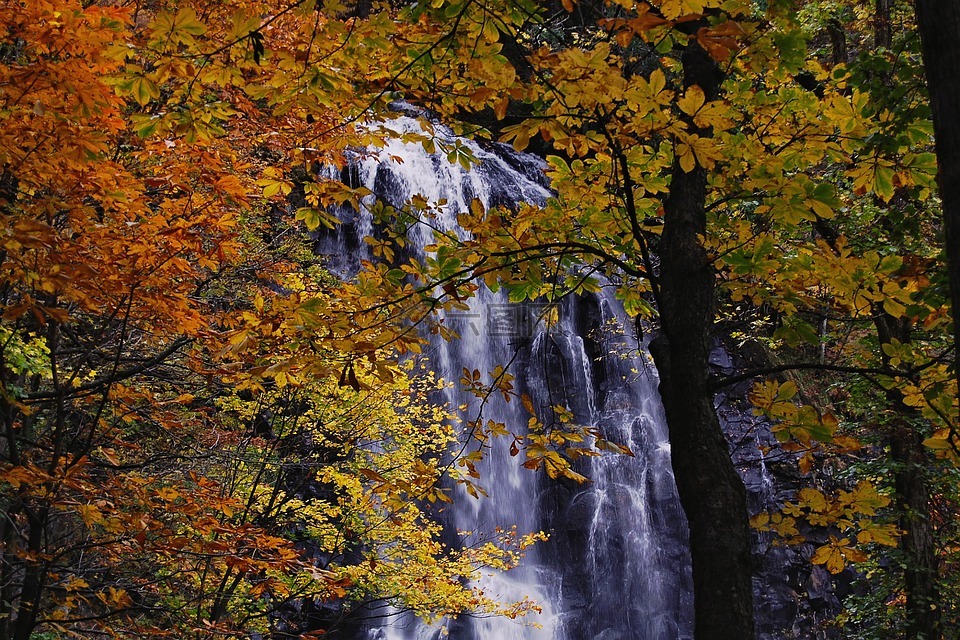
(939, 26)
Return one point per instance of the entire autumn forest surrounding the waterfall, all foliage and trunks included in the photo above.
(205, 434)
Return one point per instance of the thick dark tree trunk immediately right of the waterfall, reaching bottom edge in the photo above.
(711, 491)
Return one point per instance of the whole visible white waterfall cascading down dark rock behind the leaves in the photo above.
(616, 565)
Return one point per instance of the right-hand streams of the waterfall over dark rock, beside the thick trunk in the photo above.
(627, 572)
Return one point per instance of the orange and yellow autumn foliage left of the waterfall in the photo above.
(195, 435)
